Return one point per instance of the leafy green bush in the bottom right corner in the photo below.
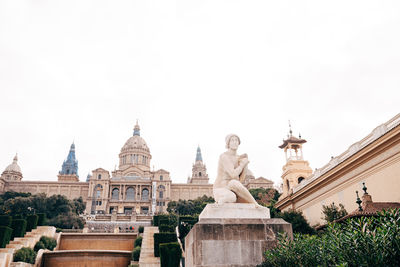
(365, 241)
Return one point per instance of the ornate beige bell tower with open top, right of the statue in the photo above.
(296, 169)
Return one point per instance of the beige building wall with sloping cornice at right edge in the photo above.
(374, 160)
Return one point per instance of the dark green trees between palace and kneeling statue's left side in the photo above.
(189, 207)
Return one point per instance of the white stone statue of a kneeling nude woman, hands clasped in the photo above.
(232, 170)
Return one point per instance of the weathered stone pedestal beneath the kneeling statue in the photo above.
(232, 234)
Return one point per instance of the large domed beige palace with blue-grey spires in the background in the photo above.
(132, 188)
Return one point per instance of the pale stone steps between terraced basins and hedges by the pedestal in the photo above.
(147, 258)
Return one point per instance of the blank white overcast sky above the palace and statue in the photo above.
(192, 72)
